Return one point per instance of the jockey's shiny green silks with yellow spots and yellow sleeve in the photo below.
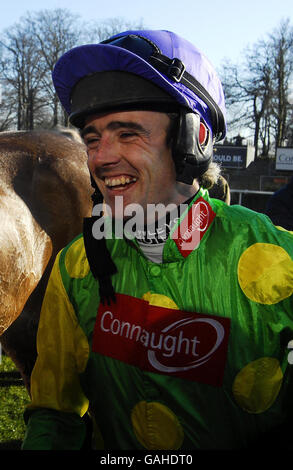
(241, 274)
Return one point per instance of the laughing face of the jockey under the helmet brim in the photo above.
(128, 156)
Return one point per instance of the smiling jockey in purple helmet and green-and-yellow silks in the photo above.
(174, 336)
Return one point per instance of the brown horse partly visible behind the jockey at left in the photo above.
(44, 194)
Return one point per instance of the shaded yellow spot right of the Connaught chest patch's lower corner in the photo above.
(257, 385)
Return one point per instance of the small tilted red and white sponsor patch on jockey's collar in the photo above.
(192, 228)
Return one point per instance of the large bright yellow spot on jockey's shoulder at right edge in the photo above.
(265, 273)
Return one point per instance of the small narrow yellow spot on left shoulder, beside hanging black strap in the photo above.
(76, 262)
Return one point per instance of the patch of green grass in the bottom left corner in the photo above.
(13, 399)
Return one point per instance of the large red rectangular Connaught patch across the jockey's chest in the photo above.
(189, 345)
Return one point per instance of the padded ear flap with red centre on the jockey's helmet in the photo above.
(192, 147)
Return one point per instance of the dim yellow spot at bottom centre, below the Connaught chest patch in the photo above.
(156, 427)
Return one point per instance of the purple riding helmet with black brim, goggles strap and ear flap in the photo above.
(148, 70)
